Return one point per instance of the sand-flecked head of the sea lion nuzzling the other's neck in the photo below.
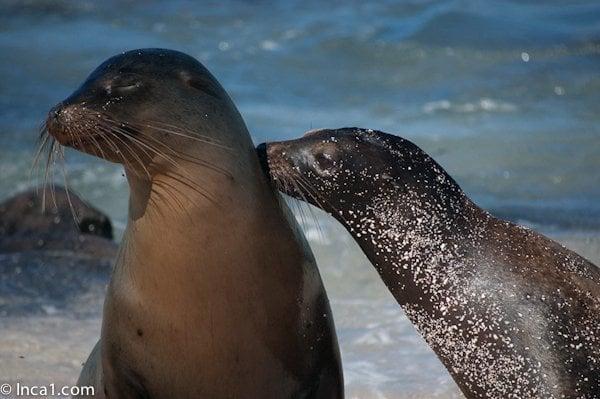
(326, 167)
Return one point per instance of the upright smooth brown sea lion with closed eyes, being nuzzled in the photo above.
(214, 293)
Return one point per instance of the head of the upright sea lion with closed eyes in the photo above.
(144, 108)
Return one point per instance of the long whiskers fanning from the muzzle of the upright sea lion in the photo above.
(126, 142)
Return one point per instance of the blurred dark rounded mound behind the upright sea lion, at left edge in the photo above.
(49, 262)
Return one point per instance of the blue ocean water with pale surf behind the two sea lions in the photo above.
(504, 94)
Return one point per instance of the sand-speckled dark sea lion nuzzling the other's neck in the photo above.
(510, 313)
